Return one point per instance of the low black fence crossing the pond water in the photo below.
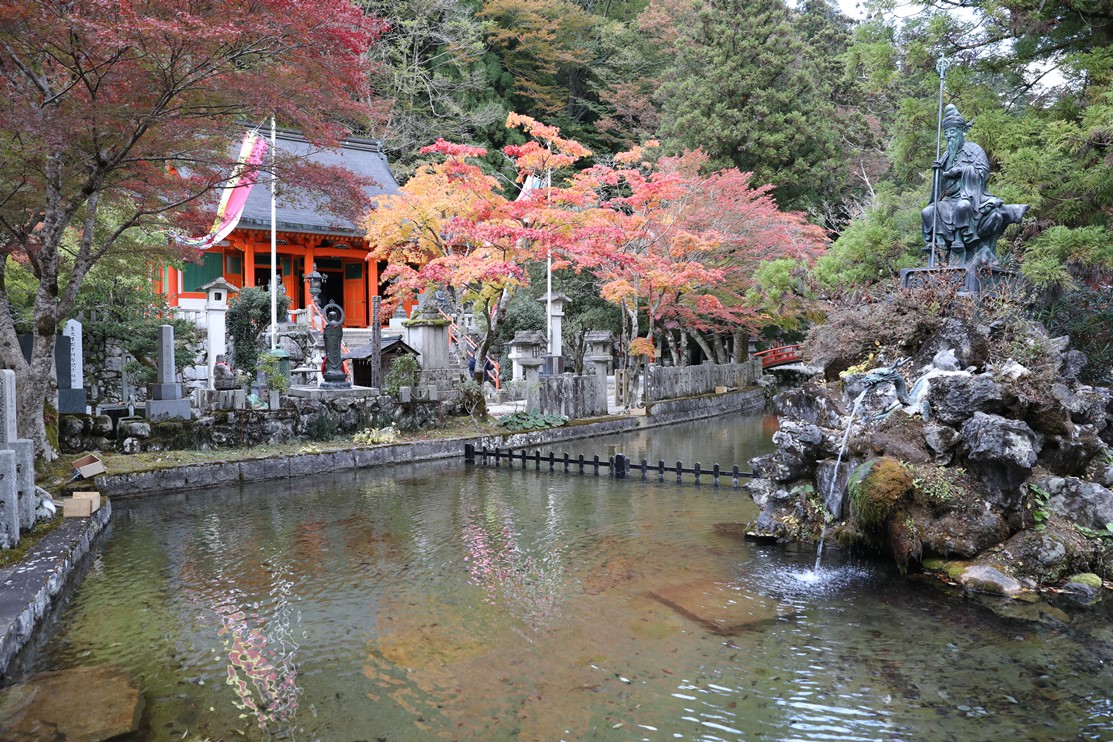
(618, 467)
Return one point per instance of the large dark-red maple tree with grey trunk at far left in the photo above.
(135, 108)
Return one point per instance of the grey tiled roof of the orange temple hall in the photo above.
(363, 157)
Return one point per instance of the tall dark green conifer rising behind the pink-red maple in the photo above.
(743, 88)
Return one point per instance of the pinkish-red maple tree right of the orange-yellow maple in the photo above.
(683, 248)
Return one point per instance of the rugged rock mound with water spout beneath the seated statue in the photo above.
(974, 449)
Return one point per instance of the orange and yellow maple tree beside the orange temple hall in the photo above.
(452, 227)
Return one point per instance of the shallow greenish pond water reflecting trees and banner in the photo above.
(444, 602)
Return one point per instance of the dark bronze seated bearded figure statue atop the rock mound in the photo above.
(964, 217)
